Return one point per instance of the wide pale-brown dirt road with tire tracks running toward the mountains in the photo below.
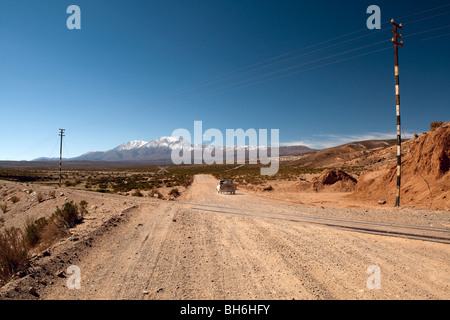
(195, 249)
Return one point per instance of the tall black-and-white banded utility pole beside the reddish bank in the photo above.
(395, 41)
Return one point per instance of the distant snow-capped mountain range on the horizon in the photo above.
(160, 150)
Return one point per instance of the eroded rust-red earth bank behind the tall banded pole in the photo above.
(425, 174)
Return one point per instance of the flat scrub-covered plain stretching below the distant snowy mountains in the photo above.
(149, 181)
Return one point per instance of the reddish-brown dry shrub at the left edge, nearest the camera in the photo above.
(13, 253)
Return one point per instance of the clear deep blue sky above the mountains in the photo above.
(141, 69)
